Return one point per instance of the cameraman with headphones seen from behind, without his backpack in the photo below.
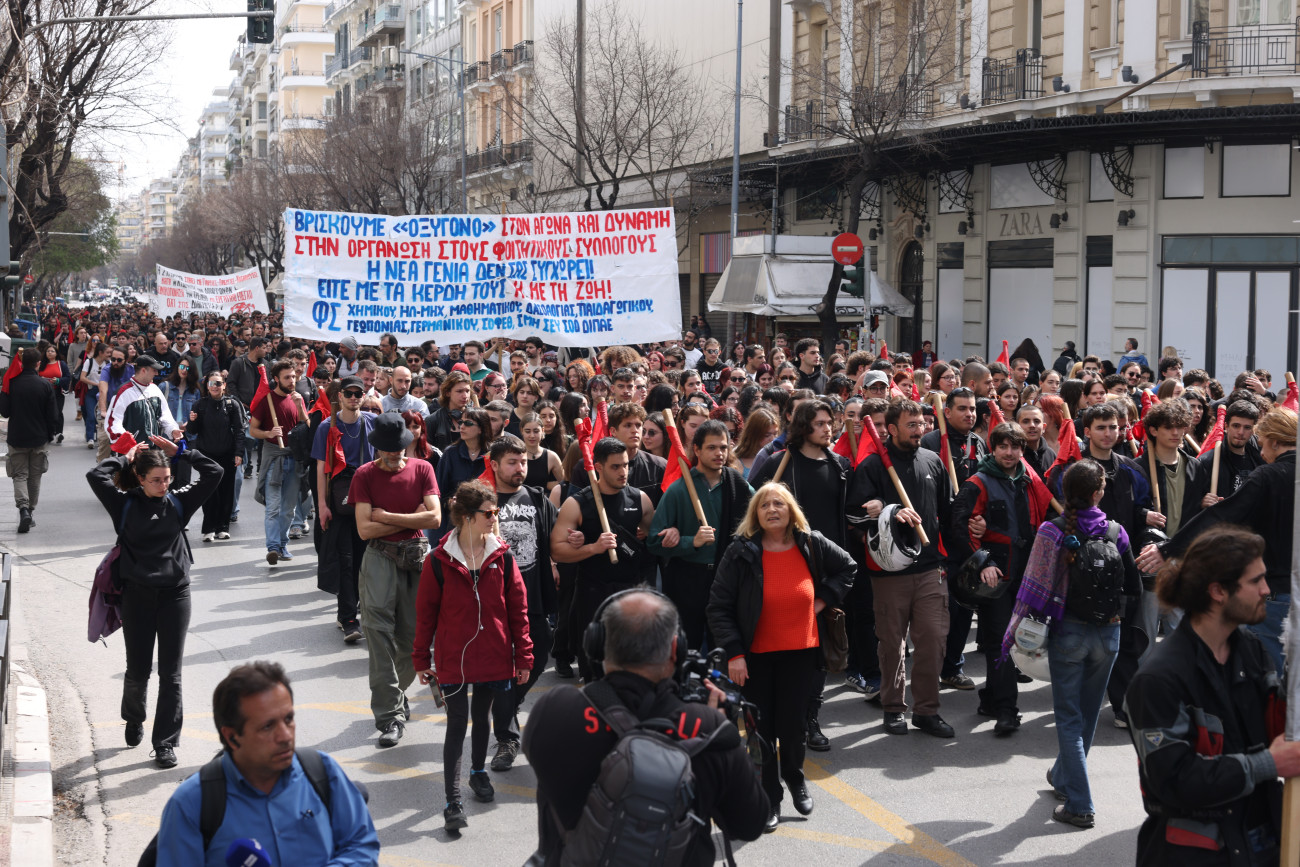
(566, 743)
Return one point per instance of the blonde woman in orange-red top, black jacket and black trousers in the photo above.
(773, 582)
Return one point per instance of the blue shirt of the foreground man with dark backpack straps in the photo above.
(292, 823)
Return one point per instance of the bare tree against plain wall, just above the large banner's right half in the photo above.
(632, 123)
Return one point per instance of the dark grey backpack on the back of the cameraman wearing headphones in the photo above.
(642, 809)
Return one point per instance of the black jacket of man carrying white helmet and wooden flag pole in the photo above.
(925, 479)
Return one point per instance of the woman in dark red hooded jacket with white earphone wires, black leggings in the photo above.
(473, 609)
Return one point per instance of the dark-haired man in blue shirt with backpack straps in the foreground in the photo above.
(270, 795)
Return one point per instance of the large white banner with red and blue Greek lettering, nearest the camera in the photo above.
(571, 279)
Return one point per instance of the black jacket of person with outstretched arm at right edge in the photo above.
(1267, 505)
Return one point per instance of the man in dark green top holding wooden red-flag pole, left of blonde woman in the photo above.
(701, 508)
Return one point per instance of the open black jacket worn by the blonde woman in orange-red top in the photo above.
(736, 601)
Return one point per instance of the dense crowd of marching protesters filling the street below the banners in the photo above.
(473, 506)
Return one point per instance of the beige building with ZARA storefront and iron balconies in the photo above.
(1082, 171)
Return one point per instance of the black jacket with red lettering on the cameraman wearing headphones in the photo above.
(565, 742)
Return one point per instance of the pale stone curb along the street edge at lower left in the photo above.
(32, 842)
